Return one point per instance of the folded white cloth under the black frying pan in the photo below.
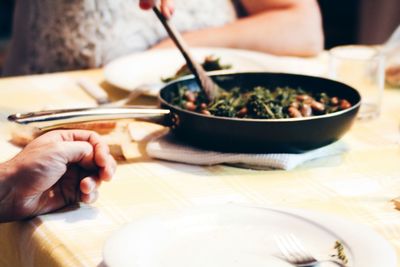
(169, 148)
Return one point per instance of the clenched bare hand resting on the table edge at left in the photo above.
(55, 170)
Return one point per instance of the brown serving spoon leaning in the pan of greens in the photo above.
(205, 82)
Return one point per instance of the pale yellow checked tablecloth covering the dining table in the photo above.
(357, 185)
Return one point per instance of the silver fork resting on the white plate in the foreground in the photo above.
(295, 253)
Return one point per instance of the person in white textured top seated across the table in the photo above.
(50, 36)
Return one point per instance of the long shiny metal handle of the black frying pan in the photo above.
(51, 119)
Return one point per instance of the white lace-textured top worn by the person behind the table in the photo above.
(58, 35)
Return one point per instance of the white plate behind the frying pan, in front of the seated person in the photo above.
(149, 67)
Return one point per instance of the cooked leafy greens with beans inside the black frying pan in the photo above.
(261, 103)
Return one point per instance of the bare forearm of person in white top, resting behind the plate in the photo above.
(285, 31)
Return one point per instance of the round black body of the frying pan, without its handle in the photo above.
(263, 135)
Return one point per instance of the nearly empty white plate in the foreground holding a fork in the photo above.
(233, 235)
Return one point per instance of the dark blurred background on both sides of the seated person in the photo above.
(345, 21)
